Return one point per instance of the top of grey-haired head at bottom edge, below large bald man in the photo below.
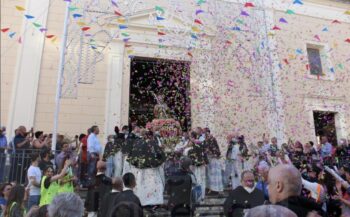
(270, 211)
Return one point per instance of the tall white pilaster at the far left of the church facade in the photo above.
(26, 79)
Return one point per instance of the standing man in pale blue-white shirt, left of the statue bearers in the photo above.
(94, 150)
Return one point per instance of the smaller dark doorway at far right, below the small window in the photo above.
(325, 125)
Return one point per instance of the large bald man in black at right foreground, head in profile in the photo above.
(285, 185)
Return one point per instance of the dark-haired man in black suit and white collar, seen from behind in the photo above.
(127, 195)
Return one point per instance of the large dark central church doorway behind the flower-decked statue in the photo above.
(152, 77)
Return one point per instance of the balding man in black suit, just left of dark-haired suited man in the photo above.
(108, 201)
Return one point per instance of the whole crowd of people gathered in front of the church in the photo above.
(132, 172)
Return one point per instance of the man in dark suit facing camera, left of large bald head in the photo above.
(243, 197)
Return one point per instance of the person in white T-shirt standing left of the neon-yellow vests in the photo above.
(34, 178)
